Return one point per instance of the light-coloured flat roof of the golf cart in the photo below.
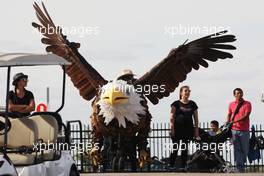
(29, 59)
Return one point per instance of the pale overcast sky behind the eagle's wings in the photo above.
(121, 34)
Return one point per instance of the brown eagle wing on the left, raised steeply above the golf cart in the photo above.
(83, 75)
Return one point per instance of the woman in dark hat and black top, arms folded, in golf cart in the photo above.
(21, 101)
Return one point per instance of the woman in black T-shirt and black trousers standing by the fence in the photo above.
(184, 125)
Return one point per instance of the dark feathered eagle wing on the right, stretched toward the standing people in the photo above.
(174, 68)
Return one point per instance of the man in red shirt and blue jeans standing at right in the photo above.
(240, 128)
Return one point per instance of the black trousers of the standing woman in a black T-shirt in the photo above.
(177, 143)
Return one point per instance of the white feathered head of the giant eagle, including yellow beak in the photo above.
(119, 100)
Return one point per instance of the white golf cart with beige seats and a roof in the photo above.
(38, 144)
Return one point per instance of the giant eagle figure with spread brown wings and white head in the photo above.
(124, 111)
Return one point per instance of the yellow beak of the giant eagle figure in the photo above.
(115, 96)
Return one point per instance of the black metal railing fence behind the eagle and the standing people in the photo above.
(159, 141)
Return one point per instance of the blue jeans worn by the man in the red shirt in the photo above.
(241, 147)
